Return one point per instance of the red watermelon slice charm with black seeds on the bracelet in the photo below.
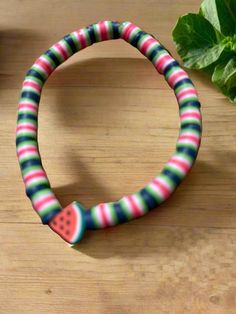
(69, 223)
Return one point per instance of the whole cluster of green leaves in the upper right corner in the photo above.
(207, 41)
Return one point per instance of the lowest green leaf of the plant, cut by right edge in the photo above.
(224, 77)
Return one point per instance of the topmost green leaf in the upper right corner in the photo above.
(221, 14)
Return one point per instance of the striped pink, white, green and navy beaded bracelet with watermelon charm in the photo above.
(72, 221)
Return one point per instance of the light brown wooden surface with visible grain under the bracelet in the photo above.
(108, 123)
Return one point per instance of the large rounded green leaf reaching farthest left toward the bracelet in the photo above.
(198, 43)
